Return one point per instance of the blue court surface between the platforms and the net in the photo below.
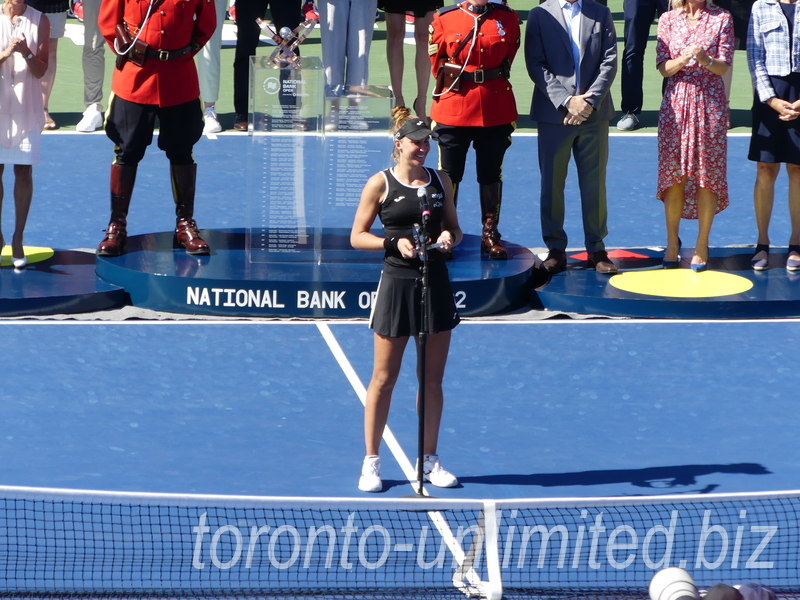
(536, 409)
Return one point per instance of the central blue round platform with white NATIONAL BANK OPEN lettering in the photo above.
(341, 285)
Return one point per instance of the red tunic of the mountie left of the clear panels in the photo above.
(172, 25)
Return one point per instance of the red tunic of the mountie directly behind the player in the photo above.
(476, 104)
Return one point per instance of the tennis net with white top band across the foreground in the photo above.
(58, 543)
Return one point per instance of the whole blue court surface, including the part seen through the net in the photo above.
(221, 458)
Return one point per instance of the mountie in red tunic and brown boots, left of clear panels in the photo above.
(157, 81)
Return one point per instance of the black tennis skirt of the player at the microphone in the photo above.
(397, 309)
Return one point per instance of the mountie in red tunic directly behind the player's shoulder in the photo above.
(480, 41)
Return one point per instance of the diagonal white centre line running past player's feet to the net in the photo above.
(397, 451)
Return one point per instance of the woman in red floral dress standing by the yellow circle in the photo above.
(695, 48)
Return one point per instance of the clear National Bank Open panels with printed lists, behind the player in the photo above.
(309, 159)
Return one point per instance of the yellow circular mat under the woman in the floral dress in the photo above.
(681, 283)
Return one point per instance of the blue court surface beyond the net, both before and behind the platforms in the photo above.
(533, 409)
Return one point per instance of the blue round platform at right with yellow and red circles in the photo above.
(730, 289)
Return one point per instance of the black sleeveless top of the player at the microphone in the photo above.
(400, 210)
